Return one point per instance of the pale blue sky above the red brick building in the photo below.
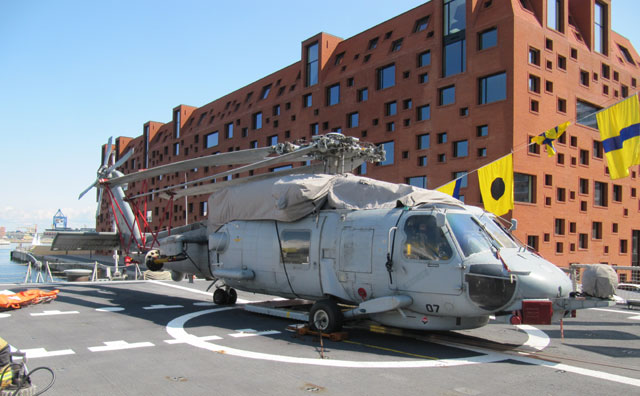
(73, 73)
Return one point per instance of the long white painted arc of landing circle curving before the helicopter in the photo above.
(175, 328)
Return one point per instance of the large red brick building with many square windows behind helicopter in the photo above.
(446, 87)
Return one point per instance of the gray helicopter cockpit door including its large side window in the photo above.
(424, 258)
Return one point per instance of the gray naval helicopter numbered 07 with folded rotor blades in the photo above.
(359, 248)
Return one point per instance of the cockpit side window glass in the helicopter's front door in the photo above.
(425, 240)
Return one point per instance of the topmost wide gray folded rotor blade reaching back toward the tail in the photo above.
(230, 158)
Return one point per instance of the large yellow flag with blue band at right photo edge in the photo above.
(619, 127)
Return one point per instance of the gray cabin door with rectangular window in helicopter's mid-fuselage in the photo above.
(300, 254)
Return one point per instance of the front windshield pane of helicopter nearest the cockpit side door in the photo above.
(470, 235)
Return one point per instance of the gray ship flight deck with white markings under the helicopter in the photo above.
(167, 338)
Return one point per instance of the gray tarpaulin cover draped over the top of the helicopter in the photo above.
(290, 198)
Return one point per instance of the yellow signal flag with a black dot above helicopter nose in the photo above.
(496, 185)
